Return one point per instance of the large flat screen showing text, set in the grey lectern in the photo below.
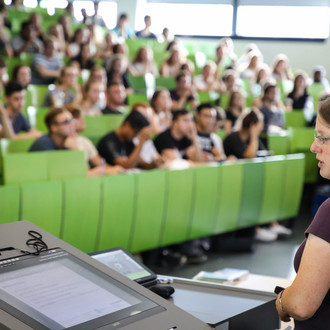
(56, 290)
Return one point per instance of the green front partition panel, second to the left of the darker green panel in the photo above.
(205, 203)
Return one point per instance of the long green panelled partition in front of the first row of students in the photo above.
(154, 208)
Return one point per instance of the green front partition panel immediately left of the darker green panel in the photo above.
(230, 196)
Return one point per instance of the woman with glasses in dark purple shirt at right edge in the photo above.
(307, 299)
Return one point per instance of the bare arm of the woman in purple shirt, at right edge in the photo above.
(302, 299)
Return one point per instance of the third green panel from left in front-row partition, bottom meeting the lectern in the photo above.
(82, 199)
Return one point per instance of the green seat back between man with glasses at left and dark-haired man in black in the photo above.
(98, 126)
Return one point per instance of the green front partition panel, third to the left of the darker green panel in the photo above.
(178, 206)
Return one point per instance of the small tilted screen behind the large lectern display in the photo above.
(124, 263)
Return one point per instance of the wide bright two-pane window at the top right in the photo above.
(305, 19)
